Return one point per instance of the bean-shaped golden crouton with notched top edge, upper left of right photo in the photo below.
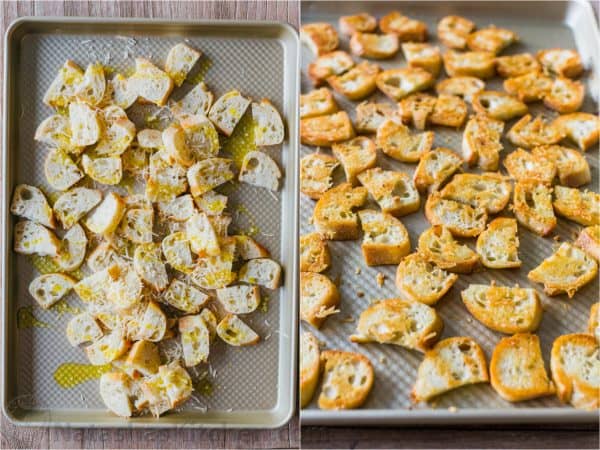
(396, 141)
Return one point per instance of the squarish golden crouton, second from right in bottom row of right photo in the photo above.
(517, 371)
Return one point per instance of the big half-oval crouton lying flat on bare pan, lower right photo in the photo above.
(504, 309)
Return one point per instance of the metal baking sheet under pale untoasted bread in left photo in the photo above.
(252, 387)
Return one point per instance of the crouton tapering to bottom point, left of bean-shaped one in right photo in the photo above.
(356, 155)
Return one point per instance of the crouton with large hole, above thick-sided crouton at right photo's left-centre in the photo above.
(394, 192)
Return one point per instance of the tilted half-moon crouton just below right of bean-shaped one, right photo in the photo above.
(435, 167)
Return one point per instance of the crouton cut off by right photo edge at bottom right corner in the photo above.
(575, 367)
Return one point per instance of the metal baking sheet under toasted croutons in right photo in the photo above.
(547, 25)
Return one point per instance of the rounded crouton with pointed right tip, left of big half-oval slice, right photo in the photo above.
(419, 280)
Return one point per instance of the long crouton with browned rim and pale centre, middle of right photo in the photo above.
(461, 219)
